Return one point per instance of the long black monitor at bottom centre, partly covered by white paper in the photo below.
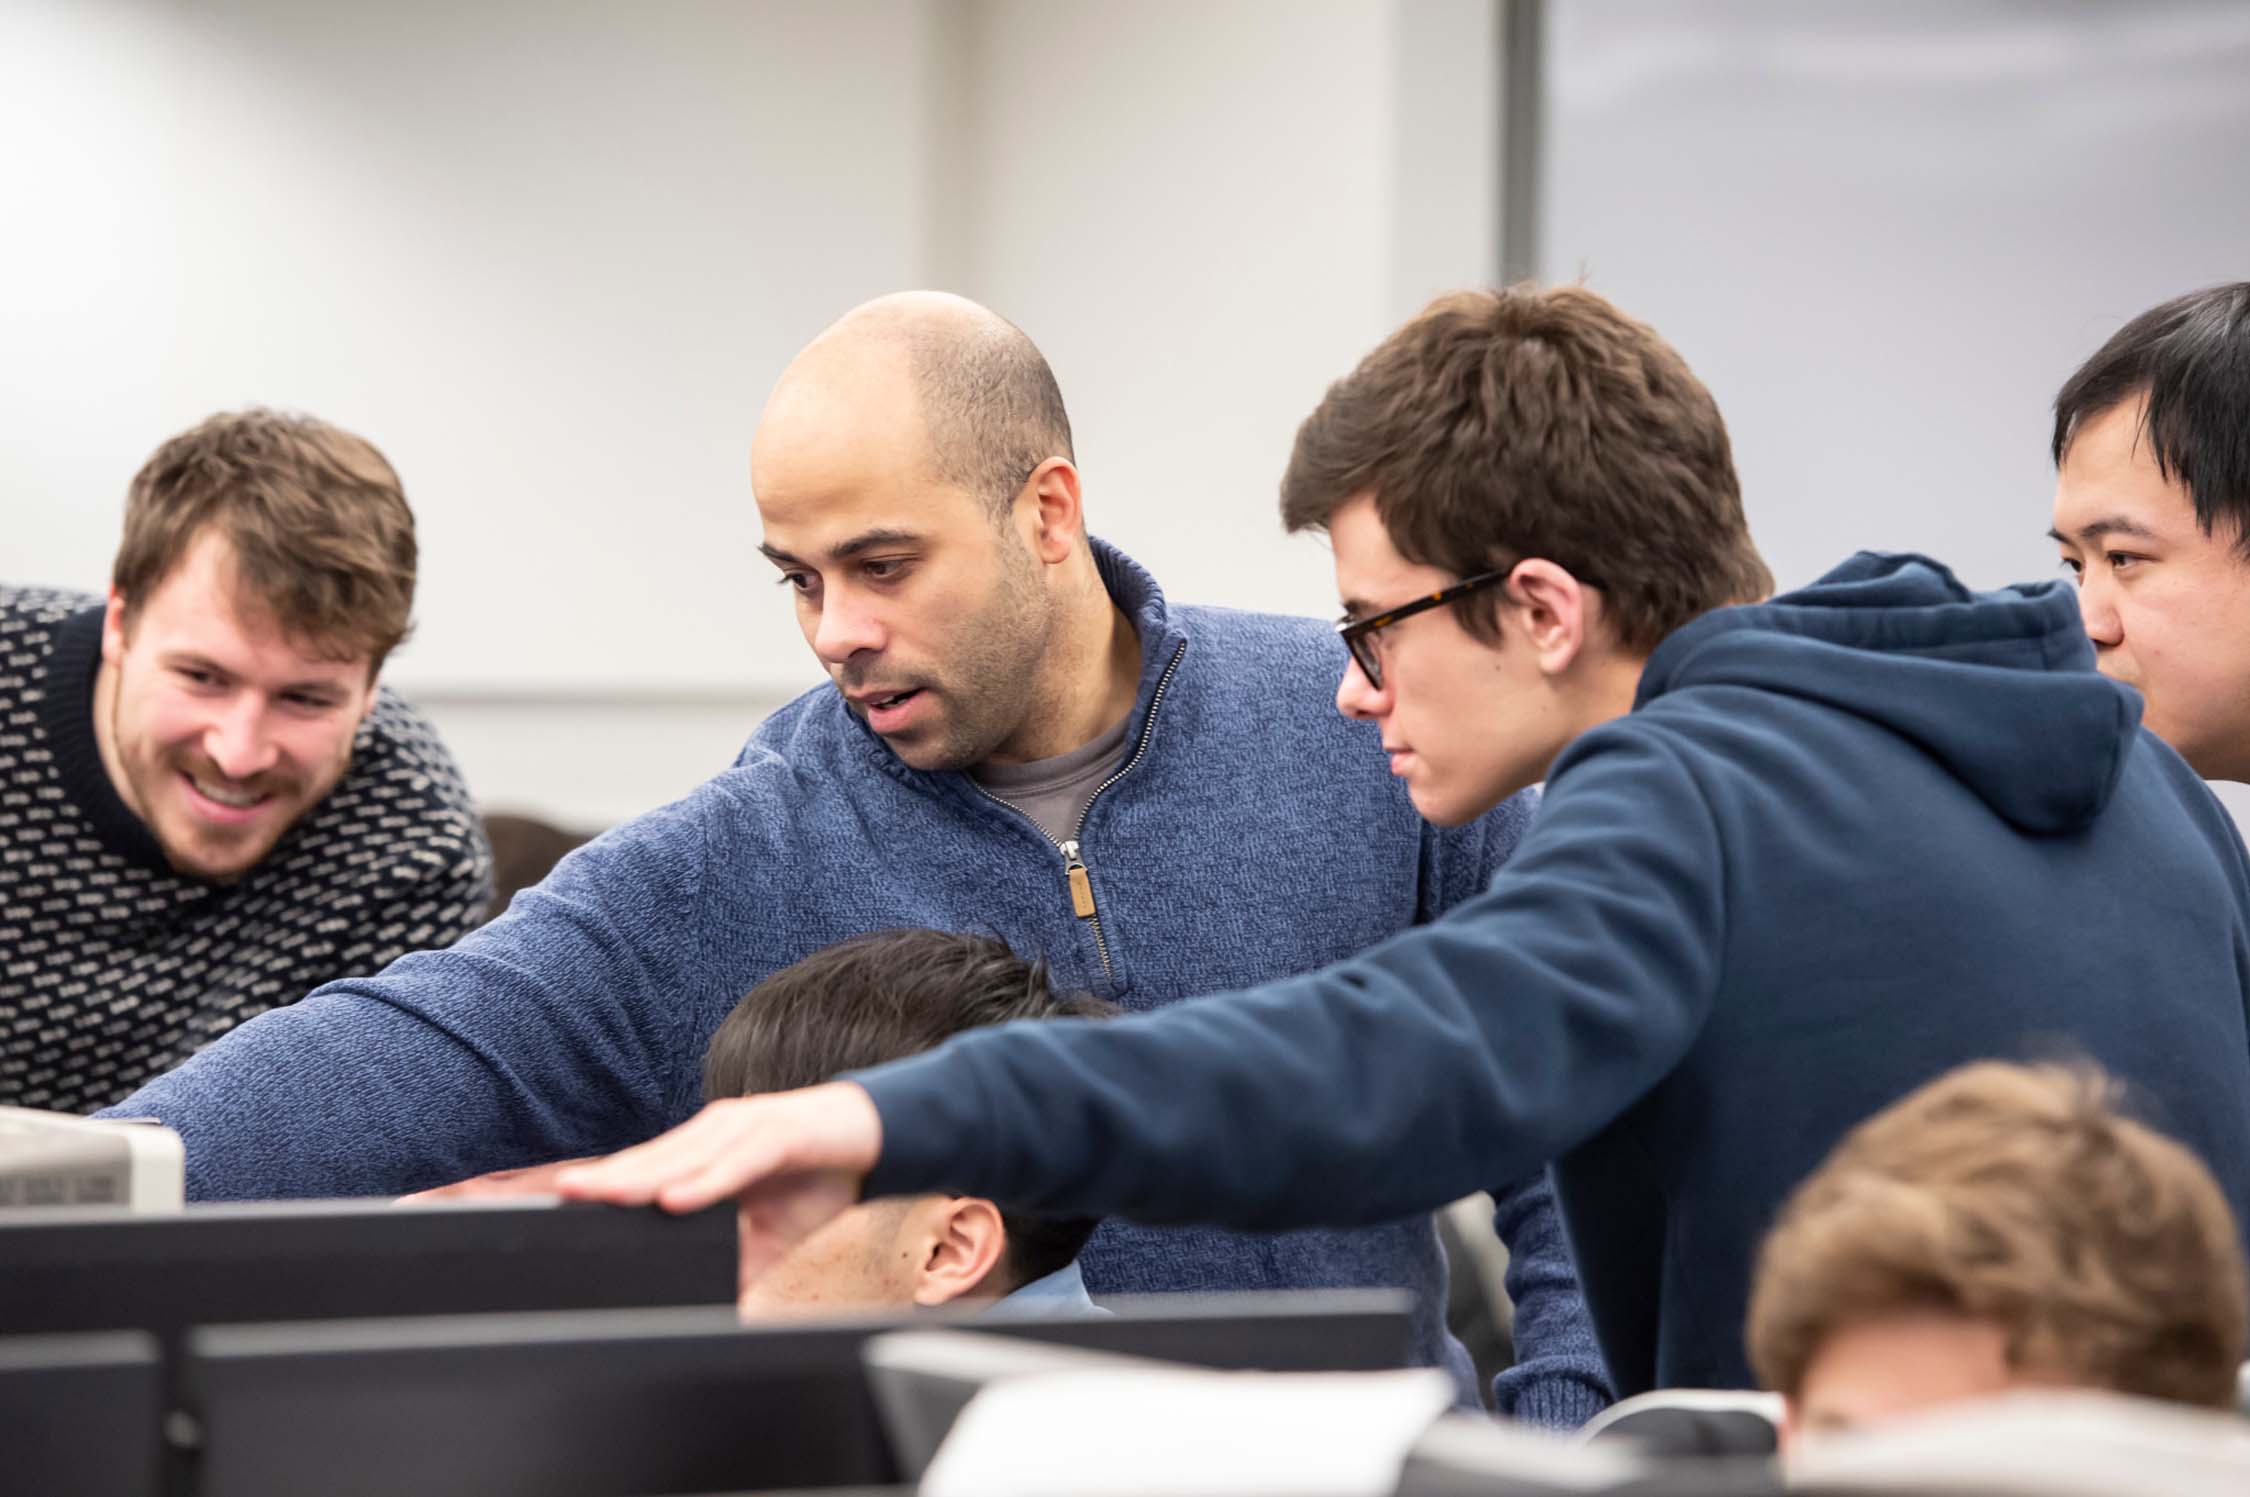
(656, 1401)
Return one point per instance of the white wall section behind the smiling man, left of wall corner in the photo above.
(546, 256)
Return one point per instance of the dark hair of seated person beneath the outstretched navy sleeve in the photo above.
(883, 998)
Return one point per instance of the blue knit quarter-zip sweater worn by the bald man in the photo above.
(1252, 834)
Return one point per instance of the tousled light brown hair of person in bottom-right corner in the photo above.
(2024, 1199)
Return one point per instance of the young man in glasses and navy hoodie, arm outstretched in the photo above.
(1794, 861)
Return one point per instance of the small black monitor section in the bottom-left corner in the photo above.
(82, 1415)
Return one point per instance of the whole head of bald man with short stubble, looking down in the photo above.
(912, 474)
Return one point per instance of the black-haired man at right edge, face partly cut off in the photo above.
(2152, 510)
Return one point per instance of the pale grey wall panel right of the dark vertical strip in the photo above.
(1887, 231)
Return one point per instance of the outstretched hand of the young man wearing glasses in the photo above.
(791, 1160)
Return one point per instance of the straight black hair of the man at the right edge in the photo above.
(2188, 361)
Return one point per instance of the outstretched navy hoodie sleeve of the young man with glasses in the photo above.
(1455, 1055)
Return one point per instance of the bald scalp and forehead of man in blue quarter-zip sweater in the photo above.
(935, 375)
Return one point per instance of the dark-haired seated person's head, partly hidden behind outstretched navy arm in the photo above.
(883, 998)
